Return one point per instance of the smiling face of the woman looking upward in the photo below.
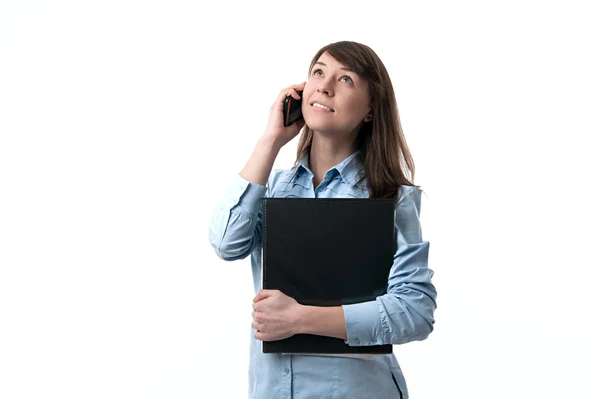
(335, 100)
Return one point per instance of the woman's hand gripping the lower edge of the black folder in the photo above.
(275, 315)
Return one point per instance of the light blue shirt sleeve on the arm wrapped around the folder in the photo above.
(405, 312)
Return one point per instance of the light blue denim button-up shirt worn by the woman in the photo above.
(403, 314)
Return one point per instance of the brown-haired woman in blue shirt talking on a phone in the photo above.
(351, 146)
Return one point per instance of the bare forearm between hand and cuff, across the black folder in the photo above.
(319, 320)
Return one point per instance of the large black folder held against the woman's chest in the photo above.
(327, 252)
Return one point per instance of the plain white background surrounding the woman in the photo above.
(123, 122)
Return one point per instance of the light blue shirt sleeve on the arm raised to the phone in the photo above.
(235, 228)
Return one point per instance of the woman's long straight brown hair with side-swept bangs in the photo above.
(383, 149)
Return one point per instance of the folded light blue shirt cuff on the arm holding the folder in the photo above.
(363, 324)
